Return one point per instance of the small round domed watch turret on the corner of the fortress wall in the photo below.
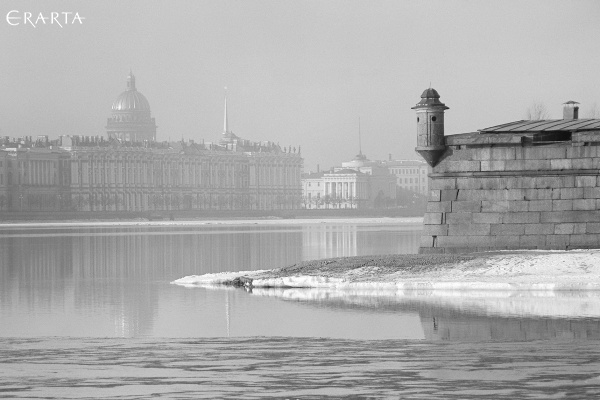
(430, 126)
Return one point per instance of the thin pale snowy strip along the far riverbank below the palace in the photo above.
(192, 223)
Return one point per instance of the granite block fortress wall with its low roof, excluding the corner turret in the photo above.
(533, 189)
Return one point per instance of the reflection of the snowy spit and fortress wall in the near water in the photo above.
(470, 316)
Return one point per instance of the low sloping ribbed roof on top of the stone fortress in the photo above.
(548, 125)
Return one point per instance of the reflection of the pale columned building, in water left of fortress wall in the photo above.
(346, 240)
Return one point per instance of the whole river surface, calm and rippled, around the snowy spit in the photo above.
(89, 312)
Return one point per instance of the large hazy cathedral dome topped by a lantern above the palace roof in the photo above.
(131, 120)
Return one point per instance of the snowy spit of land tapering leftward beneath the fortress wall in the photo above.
(539, 271)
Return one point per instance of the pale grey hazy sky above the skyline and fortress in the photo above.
(299, 73)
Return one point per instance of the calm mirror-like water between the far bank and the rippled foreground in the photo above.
(115, 282)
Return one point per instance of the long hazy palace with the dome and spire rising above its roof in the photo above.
(129, 171)
